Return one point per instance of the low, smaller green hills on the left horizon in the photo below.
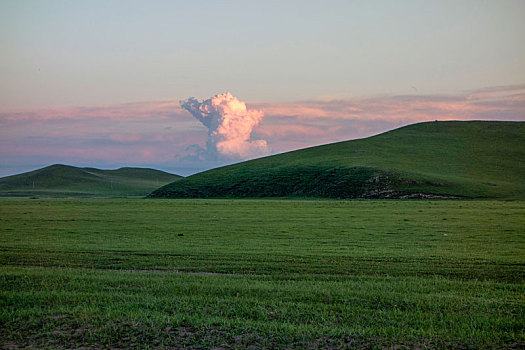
(65, 180)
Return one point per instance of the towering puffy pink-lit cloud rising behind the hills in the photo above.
(230, 125)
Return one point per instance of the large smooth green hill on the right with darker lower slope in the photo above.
(426, 160)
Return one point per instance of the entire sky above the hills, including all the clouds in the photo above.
(100, 83)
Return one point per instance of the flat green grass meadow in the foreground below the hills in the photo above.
(262, 273)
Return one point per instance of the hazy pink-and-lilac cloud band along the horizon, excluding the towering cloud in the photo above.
(162, 135)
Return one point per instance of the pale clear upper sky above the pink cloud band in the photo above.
(74, 53)
